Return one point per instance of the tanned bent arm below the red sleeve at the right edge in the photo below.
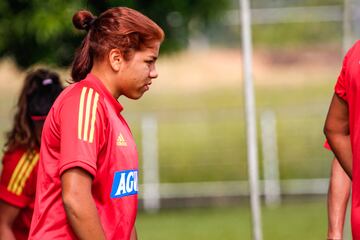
(337, 133)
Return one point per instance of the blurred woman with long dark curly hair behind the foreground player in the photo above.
(18, 177)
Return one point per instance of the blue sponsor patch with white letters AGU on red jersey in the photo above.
(124, 184)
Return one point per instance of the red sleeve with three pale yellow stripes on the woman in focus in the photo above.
(81, 122)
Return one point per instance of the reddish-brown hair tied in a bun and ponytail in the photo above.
(120, 27)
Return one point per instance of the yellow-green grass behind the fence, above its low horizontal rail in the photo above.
(202, 137)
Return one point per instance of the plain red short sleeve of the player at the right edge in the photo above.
(341, 85)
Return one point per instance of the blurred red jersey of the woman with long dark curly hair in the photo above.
(17, 187)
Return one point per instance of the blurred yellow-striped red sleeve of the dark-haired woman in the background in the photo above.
(17, 177)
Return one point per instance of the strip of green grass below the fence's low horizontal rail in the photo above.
(295, 219)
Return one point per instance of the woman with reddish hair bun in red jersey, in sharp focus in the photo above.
(88, 169)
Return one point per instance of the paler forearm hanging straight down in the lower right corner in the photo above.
(337, 199)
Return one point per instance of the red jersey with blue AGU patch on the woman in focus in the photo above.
(85, 129)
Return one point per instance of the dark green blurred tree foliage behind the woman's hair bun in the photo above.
(37, 31)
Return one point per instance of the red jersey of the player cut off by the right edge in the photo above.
(348, 88)
